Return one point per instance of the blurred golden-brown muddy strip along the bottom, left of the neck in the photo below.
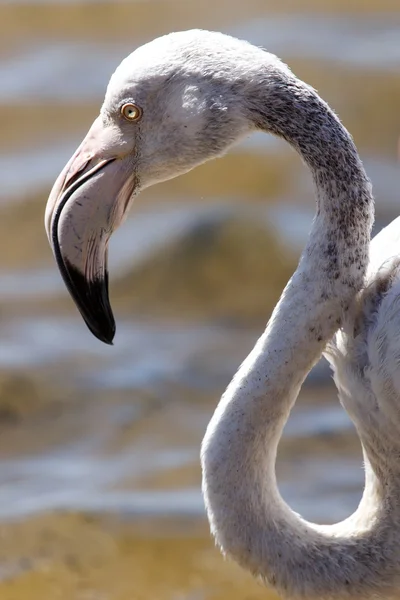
(87, 557)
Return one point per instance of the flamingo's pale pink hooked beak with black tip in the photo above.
(87, 203)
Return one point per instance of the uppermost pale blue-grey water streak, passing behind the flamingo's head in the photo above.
(83, 68)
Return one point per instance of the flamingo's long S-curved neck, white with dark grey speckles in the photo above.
(248, 517)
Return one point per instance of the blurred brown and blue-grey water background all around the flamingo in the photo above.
(99, 446)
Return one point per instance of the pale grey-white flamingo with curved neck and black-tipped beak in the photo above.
(172, 104)
